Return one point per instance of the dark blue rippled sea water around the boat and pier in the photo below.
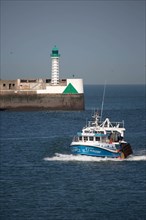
(40, 179)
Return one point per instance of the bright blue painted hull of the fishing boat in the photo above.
(93, 151)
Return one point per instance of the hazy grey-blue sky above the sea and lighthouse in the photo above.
(97, 40)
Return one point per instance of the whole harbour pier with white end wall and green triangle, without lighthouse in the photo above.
(40, 94)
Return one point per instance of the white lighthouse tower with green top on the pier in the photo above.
(55, 66)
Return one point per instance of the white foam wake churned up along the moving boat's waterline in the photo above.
(70, 157)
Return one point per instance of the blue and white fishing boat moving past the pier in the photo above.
(101, 139)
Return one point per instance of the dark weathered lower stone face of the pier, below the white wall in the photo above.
(30, 100)
